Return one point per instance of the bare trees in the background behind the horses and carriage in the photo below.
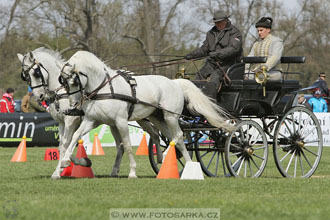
(124, 32)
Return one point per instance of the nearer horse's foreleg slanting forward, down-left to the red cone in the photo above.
(84, 127)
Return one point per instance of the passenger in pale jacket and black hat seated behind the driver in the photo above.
(268, 46)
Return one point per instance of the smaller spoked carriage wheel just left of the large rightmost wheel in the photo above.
(246, 150)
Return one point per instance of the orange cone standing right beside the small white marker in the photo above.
(169, 169)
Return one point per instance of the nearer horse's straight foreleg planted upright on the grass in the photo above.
(124, 135)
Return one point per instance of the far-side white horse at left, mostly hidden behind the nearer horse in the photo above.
(39, 69)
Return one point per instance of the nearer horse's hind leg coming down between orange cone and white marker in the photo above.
(177, 134)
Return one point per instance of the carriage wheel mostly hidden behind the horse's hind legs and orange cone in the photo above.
(164, 143)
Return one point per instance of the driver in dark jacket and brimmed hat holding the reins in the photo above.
(223, 46)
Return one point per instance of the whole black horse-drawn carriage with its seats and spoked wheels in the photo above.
(266, 113)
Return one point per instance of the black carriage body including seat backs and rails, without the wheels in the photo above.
(245, 97)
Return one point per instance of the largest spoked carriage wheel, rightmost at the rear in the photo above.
(298, 143)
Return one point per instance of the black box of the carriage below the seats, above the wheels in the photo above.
(245, 98)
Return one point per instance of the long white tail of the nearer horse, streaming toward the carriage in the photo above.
(198, 102)
